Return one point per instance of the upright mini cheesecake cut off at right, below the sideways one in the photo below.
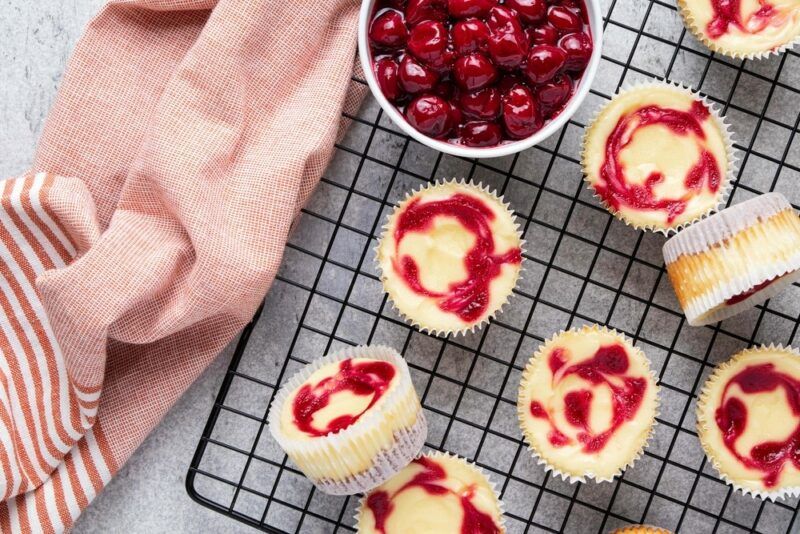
(748, 420)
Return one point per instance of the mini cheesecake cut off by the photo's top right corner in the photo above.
(743, 29)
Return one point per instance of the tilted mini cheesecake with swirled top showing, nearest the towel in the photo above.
(350, 420)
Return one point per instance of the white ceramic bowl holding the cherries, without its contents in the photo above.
(596, 26)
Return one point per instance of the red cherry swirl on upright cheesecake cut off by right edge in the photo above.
(768, 457)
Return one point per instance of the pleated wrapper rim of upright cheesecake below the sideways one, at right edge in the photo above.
(704, 401)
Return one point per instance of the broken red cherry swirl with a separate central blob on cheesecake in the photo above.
(606, 368)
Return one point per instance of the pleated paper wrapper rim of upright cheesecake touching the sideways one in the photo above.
(725, 131)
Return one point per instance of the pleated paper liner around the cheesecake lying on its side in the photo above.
(757, 216)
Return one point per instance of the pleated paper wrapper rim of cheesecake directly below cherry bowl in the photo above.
(421, 326)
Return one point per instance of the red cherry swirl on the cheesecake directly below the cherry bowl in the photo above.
(468, 298)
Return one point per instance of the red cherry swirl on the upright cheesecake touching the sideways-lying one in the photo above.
(617, 191)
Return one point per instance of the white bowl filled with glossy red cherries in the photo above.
(480, 78)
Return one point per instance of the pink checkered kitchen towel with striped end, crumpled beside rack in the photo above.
(185, 137)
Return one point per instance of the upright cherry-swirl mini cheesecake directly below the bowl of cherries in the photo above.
(450, 256)
